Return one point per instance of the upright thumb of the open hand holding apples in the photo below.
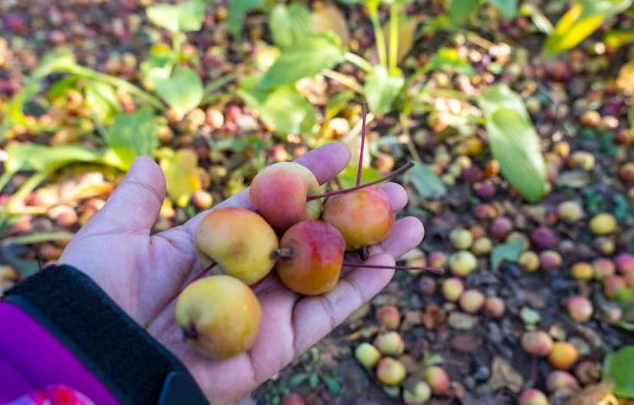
(135, 203)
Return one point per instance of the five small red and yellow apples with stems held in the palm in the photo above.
(220, 314)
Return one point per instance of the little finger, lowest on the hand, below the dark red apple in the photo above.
(315, 317)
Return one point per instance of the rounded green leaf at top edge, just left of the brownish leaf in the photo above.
(289, 24)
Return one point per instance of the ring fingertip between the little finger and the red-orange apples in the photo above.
(407, 233)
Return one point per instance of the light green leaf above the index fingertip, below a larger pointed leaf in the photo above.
(283, 108)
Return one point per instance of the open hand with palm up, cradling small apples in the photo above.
(144, 273)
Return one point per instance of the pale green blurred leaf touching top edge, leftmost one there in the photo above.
(183, 17)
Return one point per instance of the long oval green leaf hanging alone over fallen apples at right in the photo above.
(514, 142)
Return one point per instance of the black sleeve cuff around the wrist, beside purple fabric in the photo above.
(135, 367)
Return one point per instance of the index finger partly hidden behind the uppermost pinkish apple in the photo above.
(325, 162)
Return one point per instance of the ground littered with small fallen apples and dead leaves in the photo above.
(577, 106)
